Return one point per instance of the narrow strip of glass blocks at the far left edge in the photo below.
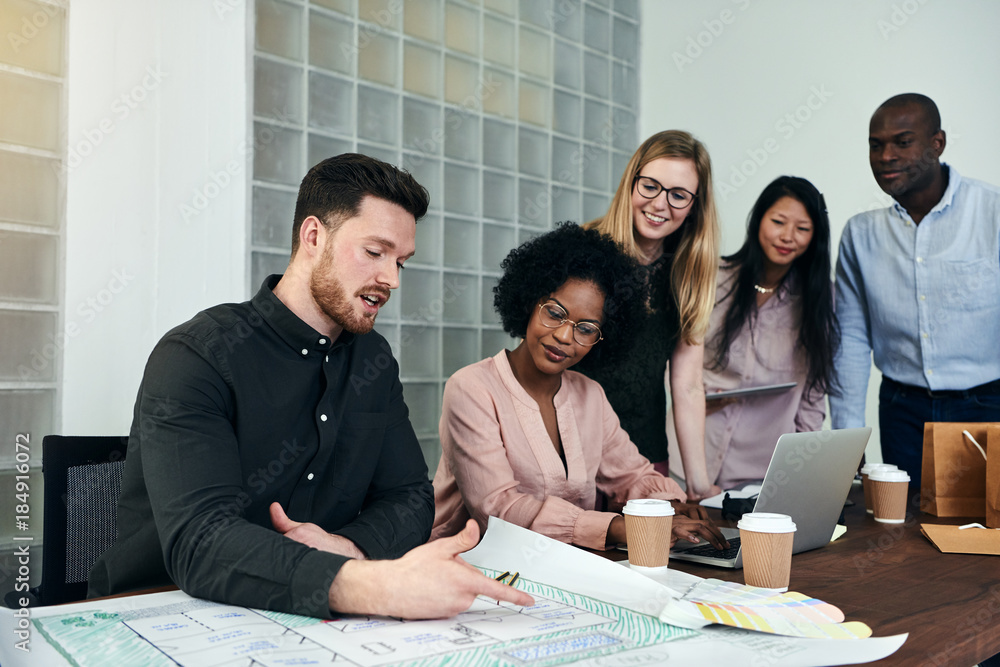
(32, 196)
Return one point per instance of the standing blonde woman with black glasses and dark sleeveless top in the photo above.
(663, 214)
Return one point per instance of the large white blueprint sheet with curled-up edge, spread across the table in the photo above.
(599, 625)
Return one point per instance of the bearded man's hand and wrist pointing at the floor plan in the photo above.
(432, 581)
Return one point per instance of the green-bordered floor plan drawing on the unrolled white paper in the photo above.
(561, 627)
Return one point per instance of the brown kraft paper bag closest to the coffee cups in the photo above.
(953, 477)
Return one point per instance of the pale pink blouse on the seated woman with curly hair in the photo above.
(497, 458)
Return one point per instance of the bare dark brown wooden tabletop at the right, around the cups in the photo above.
(893, 579)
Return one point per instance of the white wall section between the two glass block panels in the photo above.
(158, 107)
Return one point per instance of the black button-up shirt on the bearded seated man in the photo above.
(245, 405)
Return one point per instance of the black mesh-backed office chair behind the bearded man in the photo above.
(83, 476)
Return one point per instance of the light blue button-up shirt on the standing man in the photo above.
(925, 299)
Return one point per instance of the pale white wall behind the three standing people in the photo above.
(732, 71)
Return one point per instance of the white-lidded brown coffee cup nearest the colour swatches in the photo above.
(766, 545)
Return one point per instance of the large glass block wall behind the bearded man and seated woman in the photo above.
(512, 114)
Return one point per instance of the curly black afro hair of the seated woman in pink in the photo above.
(542, 265)
